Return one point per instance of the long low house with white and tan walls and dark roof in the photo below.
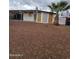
(33, 16)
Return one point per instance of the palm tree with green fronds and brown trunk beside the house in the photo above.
(56, 7)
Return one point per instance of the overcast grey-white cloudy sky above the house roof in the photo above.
(30, 4)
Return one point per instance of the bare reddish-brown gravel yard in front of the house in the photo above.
(29, 40)
